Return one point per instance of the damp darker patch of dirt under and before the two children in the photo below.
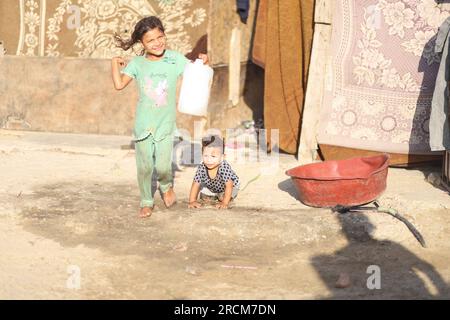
(105, 217)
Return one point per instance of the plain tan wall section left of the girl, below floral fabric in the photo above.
(63, 95)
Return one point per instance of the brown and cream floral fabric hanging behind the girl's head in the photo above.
(85, 28)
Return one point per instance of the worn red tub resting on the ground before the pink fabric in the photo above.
(350, 182)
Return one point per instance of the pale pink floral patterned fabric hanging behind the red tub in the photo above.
(383, 73)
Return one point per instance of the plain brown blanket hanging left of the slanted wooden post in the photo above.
(288, 40)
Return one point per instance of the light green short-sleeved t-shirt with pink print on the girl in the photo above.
(157, 82)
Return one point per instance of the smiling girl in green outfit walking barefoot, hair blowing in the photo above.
(156, 71)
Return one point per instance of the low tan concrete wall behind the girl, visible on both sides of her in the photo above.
(77, 96)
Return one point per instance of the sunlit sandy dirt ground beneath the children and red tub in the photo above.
(69, 230)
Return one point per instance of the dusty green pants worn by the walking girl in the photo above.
(151, 154)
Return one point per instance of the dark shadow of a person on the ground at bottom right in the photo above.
(369, 269)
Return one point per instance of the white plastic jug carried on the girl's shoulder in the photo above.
(195, 88)
